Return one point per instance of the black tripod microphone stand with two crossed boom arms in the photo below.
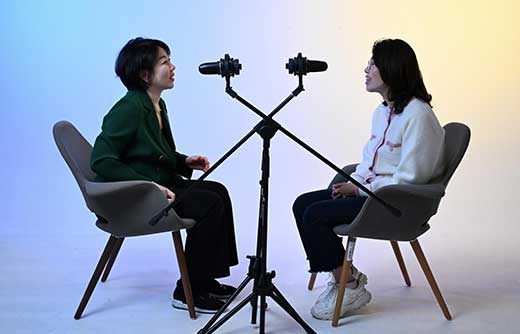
(263, 286)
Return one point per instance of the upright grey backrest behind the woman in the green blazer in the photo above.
(76, 151)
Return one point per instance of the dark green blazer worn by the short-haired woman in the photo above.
(131, 145)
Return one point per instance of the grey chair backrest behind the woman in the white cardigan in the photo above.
(456, 141)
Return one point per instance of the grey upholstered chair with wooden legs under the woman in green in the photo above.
(123, 209)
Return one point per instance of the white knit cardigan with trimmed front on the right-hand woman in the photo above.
(404, 148)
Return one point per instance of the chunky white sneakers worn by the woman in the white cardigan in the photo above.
(352, 300)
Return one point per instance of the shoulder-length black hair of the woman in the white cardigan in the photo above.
(399, 69)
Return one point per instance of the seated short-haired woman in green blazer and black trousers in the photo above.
(136, 143)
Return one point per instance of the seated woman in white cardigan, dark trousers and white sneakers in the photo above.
(405, 147)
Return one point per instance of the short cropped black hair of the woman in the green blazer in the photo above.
(138, 55)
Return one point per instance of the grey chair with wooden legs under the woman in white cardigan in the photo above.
(418, 203)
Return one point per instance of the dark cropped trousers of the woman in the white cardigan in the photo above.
(316, 214)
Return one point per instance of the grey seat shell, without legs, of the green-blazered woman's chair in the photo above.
(103, 199)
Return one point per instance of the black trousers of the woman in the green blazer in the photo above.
(210, 248)
